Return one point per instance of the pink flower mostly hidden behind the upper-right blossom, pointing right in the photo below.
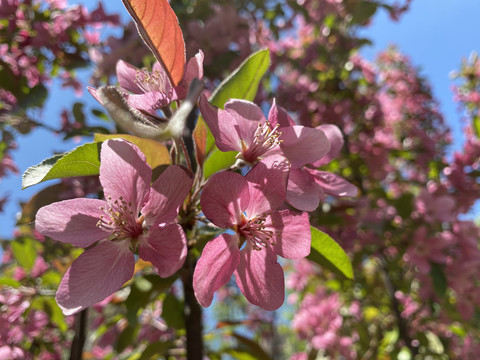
(307, 186)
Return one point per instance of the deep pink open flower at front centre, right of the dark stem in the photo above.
(248, 206)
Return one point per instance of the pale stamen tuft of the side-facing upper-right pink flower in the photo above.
(266, 138)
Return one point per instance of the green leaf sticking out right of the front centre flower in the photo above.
(326, 252)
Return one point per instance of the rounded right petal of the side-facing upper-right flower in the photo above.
(303, 145)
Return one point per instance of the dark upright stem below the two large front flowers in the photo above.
(192, 312)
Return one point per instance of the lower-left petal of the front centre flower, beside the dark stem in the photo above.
(219, 259)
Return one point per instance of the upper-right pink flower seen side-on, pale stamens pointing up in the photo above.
(242, 127)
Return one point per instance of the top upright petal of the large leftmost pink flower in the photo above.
(125, 173)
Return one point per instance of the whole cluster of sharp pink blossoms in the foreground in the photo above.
(138, 219)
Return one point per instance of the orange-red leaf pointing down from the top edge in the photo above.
(158, 26)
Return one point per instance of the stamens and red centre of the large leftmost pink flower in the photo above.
(120, 220)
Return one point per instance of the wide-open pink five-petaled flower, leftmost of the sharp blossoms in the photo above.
(135, 217)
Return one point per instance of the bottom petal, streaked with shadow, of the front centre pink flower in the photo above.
(260, 278)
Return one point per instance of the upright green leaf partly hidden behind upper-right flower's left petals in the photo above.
(242, 83)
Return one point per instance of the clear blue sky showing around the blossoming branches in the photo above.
(435, 34)
